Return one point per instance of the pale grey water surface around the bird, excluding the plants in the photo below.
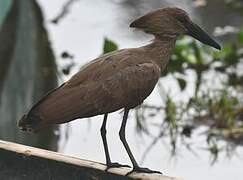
(81, 33)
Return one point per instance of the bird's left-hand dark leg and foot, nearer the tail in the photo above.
(107, 154)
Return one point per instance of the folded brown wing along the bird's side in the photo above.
(103, 86)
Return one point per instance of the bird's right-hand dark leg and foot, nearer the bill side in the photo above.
(136, 167)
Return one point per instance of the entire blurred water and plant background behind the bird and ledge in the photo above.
(191, 126)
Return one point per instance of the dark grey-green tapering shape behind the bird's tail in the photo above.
(27, 71)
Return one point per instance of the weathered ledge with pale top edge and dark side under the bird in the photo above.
(23, 162)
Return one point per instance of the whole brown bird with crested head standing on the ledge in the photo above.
(121, 79)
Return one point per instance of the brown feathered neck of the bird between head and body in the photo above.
(160, 50)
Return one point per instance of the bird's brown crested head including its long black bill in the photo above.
(171, 22)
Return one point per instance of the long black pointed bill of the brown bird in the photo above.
(199, 34)
